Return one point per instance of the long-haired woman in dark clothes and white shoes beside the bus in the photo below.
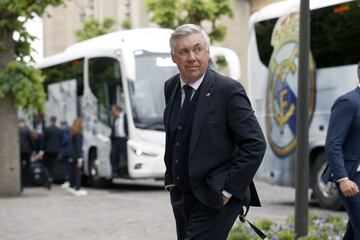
(76, 158)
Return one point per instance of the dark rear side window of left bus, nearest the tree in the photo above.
(65, 71)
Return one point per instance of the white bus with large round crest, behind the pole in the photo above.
(273, 72)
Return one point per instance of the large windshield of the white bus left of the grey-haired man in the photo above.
(147, 89)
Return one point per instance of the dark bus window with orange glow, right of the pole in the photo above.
(335, 35)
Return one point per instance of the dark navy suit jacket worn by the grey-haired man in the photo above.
(227, 144)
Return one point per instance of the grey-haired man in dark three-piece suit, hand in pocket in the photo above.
(214, 144)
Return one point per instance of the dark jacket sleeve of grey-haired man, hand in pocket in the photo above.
(248, 137)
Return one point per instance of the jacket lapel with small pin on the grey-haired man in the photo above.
(205, 95)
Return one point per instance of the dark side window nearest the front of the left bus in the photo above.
(105, 80)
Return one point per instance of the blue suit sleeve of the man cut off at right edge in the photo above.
(341, 117)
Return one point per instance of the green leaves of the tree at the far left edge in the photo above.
(24, 82)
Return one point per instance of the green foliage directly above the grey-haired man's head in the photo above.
(171, 14)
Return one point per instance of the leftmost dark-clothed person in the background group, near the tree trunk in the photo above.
(26, 150)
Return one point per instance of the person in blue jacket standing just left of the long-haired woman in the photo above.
(65, 152)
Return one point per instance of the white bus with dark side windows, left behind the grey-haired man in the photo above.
(127, 68)
